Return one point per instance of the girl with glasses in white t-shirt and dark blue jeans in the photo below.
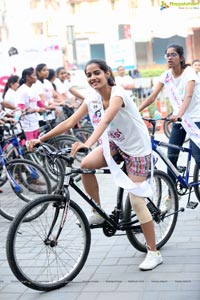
(187, 86)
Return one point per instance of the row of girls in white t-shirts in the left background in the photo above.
(37, 91)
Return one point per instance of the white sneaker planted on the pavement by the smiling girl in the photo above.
(151, 261)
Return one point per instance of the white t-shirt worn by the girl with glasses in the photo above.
(181, 82)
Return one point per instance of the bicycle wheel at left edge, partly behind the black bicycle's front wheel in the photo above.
(19, 190)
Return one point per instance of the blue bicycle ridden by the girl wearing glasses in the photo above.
(182, 173)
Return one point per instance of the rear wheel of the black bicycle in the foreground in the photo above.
(165, 227)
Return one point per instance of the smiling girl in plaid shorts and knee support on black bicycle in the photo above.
(111, 108)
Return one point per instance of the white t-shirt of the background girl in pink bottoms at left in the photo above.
(28, 97)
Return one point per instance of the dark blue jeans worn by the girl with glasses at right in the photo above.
(177, 137)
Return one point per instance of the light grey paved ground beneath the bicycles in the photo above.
(111, 271)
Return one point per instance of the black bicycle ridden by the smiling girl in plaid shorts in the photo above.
(51, 250)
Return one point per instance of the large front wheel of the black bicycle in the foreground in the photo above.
(36, 260)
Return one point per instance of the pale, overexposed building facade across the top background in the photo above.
(127, 32)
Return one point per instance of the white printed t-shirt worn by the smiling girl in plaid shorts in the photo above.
(127, 130)
